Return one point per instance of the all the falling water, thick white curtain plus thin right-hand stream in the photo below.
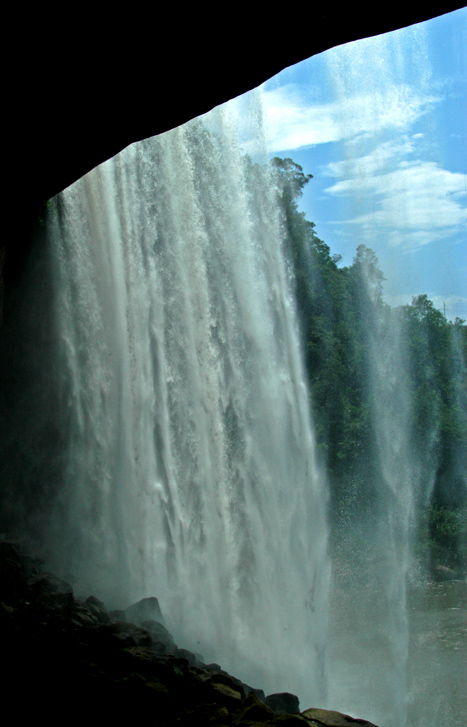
(165, 444)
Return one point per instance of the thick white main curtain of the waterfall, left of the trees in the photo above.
(186, 465)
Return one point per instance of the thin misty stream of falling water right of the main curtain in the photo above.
(371, 629)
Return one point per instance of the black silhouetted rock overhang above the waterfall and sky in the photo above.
(77, 99)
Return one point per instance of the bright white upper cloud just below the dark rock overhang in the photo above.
(292, 122)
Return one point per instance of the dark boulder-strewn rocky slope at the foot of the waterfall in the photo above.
(66, 658)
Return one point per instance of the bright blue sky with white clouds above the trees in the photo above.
(381, 123)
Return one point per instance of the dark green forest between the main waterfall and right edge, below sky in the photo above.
(346, 326)
